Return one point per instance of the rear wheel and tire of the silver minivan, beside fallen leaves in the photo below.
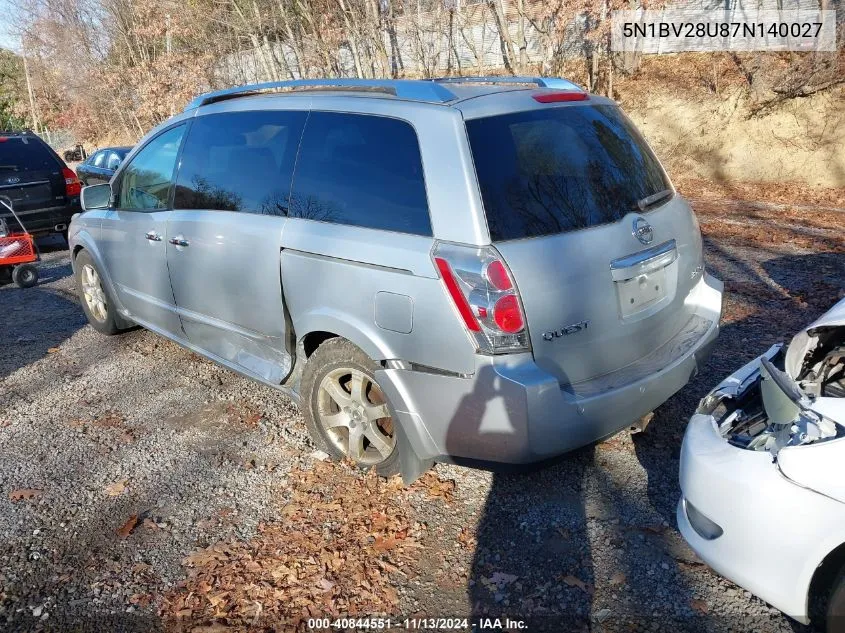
(339, 388)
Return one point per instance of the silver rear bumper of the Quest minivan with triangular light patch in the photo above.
(511, 411)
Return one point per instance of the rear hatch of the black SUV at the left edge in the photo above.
(30, 174)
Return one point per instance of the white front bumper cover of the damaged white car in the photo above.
(774, 533)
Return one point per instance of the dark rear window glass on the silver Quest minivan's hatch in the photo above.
(560, 169)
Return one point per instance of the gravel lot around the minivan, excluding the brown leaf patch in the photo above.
(133, 434)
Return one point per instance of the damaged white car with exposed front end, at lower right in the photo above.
(762, 475)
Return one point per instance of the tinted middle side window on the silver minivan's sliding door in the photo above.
(239, 161)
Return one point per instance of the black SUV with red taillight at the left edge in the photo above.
(43, 190)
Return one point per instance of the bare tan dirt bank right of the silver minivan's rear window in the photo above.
(713, 138)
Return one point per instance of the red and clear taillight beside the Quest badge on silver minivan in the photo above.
(484, 295)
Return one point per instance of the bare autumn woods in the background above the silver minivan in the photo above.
(112, 69)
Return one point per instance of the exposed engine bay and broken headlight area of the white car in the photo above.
(786, 397)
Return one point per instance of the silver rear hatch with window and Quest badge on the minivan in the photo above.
(602, 250)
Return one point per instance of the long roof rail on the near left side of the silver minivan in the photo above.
(412, 89)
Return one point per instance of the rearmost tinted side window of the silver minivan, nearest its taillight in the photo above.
(361, 170)
